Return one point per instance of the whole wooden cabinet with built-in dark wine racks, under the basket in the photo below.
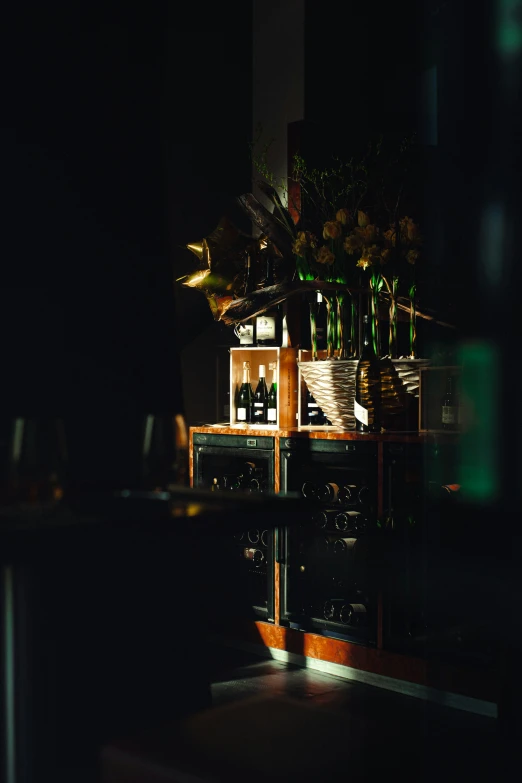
(367, 627)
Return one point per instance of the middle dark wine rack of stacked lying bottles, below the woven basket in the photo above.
(326, 583)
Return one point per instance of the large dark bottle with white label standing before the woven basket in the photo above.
(367, 386)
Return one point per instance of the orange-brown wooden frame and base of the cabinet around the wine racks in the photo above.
(397, 469)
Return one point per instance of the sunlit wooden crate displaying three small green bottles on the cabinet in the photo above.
(287, 382)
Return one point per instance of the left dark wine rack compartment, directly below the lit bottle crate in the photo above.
(238, 463)
